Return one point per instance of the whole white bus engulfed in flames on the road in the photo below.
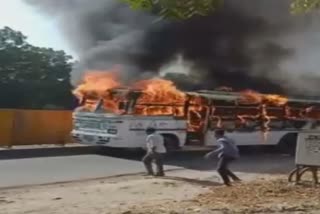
(115, 116)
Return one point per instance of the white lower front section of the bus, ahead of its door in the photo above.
(125, 131)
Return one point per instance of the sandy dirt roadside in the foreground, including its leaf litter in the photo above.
(182, 191)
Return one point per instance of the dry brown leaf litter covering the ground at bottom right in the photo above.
(263, 196)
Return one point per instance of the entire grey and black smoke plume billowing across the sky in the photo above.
(253, 44)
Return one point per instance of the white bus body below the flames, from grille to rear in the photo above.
(127, 130)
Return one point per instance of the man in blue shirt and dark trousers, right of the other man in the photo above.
(227, 152)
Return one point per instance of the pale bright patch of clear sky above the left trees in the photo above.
(41, 30)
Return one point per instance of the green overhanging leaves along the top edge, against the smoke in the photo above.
(184, 9)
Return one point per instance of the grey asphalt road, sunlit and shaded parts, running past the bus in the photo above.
(48, 166)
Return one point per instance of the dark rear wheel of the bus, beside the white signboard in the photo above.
(288, 143)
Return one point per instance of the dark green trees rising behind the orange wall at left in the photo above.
(30, 76)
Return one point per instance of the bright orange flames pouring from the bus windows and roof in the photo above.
(161, 97)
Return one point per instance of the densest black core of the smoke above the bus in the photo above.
(220, 46)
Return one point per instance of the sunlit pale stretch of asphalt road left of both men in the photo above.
(28, 170)
